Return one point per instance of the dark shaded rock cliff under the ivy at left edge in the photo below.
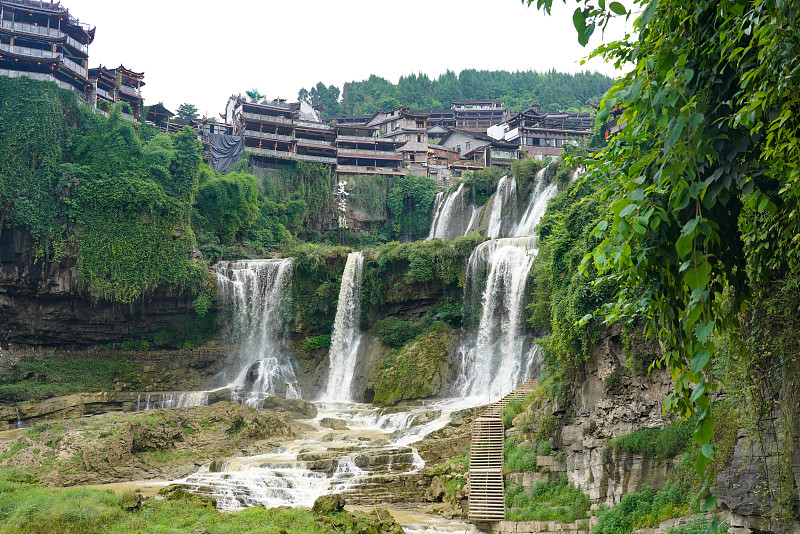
(42, 304)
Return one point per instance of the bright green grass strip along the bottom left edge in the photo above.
(31, 509)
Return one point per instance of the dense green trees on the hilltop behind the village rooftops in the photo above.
(519, 90)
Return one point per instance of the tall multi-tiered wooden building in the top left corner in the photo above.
(43, 41)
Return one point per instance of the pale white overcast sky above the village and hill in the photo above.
(202, 52)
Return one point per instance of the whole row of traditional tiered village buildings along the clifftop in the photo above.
(44, 41)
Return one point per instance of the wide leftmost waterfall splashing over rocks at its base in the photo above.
(257, 293)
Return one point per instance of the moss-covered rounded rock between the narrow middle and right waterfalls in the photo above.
(418, 370)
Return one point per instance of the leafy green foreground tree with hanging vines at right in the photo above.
(703, 182)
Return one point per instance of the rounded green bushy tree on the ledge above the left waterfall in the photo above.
(226, 205)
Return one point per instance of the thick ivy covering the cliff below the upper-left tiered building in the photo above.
(89, 186)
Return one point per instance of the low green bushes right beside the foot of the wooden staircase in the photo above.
(545, 501)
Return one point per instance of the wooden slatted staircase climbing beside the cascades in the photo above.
(487, 491)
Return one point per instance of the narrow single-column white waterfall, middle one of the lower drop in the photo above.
(346, 332)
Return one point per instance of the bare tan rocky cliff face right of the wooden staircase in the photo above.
(607, 403)
